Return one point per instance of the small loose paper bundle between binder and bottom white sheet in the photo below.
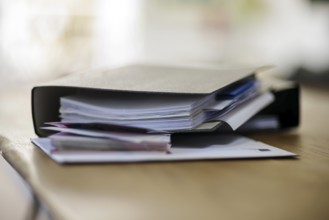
(82, 139)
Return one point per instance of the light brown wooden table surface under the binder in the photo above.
(227, 189)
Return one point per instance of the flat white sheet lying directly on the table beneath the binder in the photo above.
(188, 148)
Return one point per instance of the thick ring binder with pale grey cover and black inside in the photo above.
(162, 81)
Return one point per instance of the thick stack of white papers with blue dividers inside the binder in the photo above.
(170, 112)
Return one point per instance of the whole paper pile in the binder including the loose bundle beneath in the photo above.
(144, 121)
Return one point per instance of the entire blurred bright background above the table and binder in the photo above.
(43, 39)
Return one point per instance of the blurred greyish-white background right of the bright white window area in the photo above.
(290, 34)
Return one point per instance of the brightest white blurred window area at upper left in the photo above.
(43, 39)
